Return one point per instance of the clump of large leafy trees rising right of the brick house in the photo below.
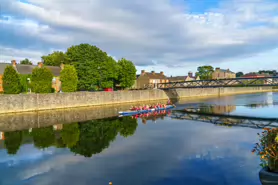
(95, 69)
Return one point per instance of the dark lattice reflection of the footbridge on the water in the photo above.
(226, 120)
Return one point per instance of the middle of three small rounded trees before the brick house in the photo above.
(41, 80)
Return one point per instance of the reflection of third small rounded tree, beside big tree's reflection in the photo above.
(70, 134)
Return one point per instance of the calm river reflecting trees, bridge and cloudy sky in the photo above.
(157, 150)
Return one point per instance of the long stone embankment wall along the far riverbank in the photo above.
(35, 102)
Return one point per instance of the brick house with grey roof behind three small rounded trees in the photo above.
(27, 69)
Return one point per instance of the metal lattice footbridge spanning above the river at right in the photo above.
(231, 82)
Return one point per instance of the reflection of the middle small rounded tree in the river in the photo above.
(43, 137)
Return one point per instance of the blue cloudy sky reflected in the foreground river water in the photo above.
(169, 150)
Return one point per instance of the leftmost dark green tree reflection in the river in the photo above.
(13, 141)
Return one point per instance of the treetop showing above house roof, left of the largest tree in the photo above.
(54, 59)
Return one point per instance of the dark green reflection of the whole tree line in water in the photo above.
(86, 138)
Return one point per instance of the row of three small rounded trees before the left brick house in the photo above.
(40, 81)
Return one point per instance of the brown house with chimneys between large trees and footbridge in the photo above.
(146, 78)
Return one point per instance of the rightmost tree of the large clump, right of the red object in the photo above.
(127, 73)
